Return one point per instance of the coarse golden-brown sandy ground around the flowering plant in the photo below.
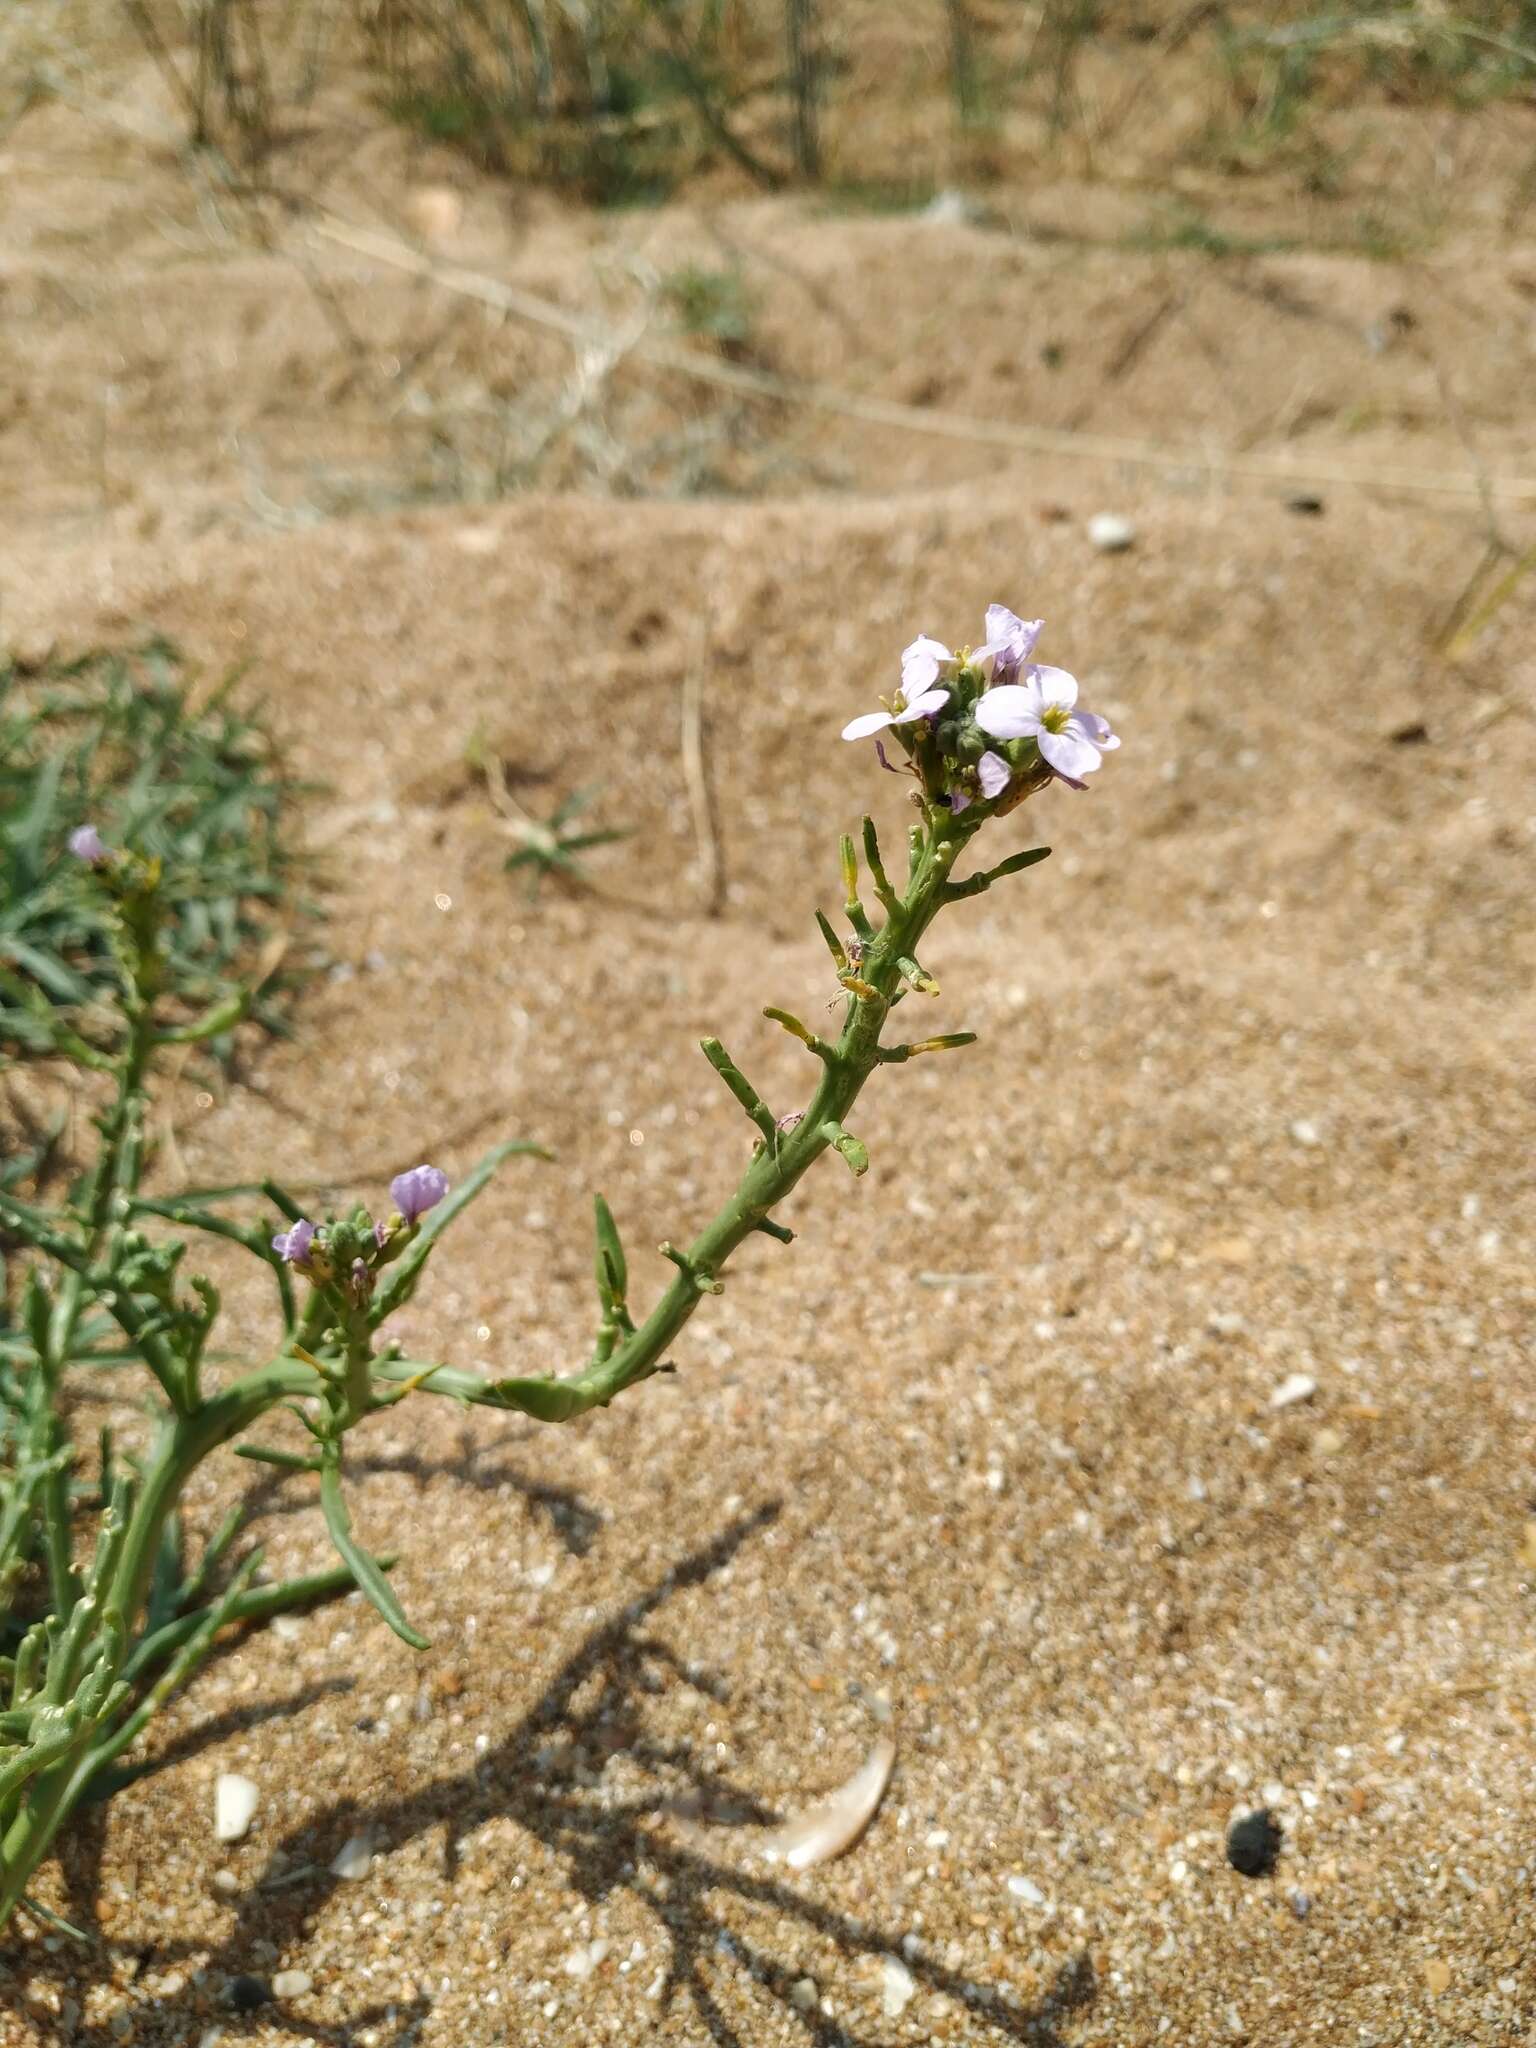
(988, 1461)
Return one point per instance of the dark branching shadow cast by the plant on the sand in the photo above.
(536, 1781)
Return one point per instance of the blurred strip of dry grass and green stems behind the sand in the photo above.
(620, 101)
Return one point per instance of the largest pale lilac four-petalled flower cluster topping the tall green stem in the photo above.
(988, 724)
